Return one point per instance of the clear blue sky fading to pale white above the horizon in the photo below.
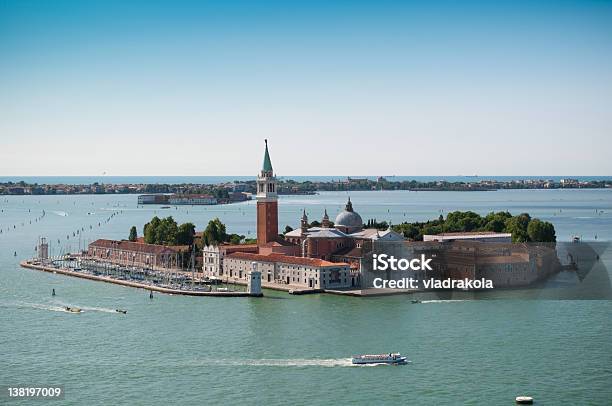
(338, 87)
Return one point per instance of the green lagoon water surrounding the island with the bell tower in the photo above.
(281, 349)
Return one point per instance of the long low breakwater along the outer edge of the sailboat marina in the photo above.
(99, 278)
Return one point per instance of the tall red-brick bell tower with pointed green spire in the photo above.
(267, 203)
